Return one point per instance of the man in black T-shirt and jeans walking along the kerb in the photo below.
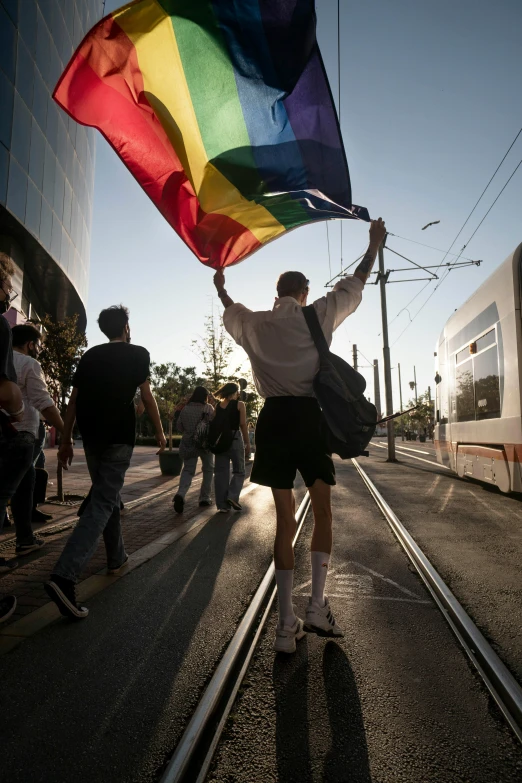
(102, 403)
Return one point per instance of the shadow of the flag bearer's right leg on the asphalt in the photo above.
(347, 759)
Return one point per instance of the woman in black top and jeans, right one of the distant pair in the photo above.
(230, 417)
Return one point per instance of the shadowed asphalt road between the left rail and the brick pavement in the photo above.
(106, 698)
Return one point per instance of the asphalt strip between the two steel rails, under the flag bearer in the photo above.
(395, 701)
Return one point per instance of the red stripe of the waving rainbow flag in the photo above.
(106, 91)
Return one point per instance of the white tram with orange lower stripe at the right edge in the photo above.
(478, 403)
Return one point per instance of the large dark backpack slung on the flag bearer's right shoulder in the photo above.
(349, 419)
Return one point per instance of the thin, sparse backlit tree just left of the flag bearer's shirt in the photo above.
(215, 350)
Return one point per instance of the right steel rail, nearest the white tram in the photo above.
(498, 679)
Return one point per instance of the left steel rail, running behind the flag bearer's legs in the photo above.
(188, 744)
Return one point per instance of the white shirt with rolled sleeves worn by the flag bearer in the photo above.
(282, 353)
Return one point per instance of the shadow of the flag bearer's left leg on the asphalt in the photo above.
(290, 678)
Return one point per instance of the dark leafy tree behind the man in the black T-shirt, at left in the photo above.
(63, 348)
